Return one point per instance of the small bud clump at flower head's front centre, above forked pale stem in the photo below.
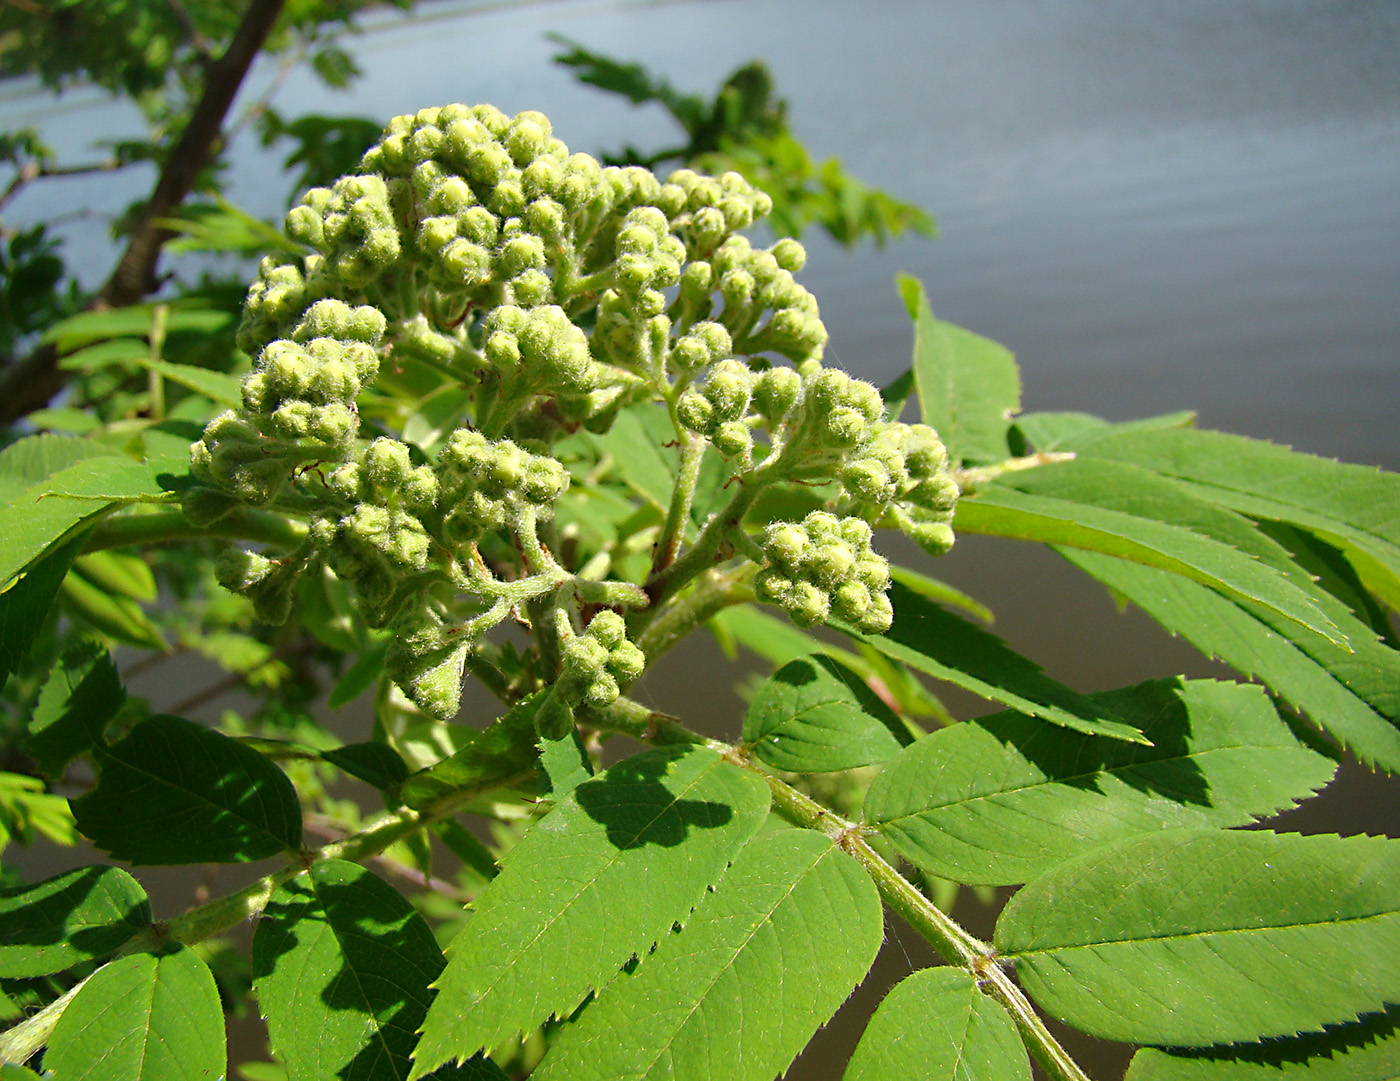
(488, 485)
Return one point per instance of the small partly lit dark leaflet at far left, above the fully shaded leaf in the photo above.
(82, 695)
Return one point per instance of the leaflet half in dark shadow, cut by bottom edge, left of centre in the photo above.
(342, 967)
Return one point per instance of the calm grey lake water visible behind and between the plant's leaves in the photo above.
(1158, 207)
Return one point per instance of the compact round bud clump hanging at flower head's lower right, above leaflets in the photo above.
(822, 568)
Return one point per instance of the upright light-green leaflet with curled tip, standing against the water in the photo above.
(968, 386)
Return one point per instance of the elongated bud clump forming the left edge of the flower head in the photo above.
(299, 404)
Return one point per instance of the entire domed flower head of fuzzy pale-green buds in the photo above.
(551, 293)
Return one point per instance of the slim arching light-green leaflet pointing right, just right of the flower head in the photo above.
(1003, 512)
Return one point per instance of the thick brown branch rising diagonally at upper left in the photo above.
(31, 383)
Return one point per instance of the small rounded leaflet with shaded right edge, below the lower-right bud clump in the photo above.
(814, 716)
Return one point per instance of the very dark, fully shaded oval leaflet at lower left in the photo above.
(173, 792)
